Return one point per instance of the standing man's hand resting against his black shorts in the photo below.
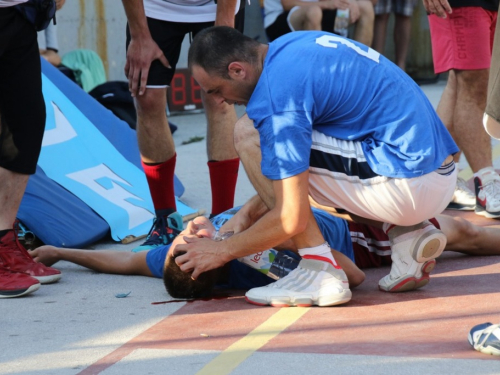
(140, 54)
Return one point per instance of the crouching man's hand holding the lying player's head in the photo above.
(200, 255)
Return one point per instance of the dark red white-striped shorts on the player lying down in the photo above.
(371, 245)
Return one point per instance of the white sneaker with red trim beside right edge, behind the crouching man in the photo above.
(488, 194)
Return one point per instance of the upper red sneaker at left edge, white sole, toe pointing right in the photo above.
(14, 257)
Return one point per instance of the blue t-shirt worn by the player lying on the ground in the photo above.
(241, 276)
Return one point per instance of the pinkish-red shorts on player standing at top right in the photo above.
(463, 40)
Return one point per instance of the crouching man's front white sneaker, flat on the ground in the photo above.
(313, 282)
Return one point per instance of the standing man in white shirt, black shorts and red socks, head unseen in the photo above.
(155, 31)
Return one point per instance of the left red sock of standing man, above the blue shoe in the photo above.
(161, 183)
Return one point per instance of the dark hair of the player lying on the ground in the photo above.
(179, 284)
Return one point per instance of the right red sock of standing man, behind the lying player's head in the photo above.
(223, 177)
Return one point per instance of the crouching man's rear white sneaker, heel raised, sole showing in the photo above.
(413, 252)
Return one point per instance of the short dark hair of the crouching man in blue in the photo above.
(216, 47)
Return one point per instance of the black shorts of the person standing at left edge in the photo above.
(22, 108)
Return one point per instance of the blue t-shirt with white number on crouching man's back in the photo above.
(341, 88)
